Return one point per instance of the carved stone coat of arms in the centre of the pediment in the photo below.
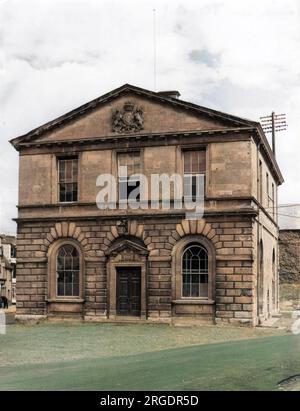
(130, 118)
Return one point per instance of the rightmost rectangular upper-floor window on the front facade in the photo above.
(194, 169)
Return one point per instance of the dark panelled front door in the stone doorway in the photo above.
(129, 291)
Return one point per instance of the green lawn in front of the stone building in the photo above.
(145, 357)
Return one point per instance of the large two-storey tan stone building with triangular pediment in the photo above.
(151, 264)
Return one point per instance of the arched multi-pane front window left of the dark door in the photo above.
(67, 271)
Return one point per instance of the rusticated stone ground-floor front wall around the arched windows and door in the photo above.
(231, 237)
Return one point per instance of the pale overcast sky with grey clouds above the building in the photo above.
(241, 57)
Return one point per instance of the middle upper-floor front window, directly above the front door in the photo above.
(129, 166)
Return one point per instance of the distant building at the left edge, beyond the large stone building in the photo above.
(8, 267)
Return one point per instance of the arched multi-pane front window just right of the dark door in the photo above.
(195, 271)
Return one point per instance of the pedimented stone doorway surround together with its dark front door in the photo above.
(127, 284)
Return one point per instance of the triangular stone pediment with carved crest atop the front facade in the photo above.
(130, 110)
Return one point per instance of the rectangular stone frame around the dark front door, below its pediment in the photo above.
(112, 289)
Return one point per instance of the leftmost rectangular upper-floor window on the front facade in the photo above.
(68, 179)
